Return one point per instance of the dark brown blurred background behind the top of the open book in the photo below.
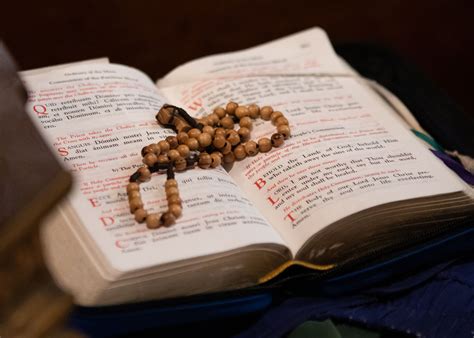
(156, 36)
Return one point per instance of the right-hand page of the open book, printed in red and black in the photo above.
(348, 152)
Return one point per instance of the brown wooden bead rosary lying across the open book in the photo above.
(207, 142)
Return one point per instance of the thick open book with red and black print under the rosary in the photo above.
(351, 179)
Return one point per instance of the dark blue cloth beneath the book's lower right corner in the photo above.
(437, 302)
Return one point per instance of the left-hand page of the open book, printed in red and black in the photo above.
(97, 118)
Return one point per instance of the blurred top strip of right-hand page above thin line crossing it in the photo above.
(302, 53)
